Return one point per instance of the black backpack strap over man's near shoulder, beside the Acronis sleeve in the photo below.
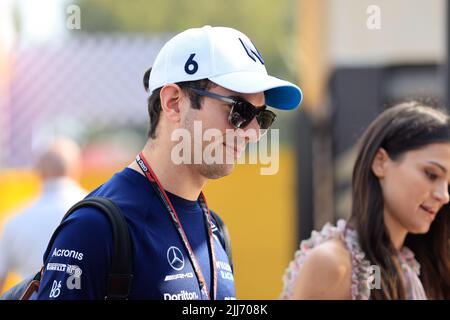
(121, 274)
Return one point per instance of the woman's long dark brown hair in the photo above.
(404, 127)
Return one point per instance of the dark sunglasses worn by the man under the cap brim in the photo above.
(242, 112)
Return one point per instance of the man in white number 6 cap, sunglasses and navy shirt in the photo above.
(214, 77)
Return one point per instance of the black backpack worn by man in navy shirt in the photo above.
(121, 275)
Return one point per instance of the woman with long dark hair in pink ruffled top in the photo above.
(396, 243)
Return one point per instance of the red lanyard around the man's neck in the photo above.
(147, 170)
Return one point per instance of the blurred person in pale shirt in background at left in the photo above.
(26, 235)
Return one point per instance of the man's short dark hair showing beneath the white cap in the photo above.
(154, 102)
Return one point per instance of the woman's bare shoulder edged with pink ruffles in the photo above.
(326, 266)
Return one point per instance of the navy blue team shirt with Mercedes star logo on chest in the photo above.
(78, 263)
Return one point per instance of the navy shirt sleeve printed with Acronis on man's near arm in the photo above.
(76, 266)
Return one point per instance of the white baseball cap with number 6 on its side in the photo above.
(225, 56)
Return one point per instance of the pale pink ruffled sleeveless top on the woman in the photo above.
(362, 270)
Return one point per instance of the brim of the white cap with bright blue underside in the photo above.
(279, 93)
